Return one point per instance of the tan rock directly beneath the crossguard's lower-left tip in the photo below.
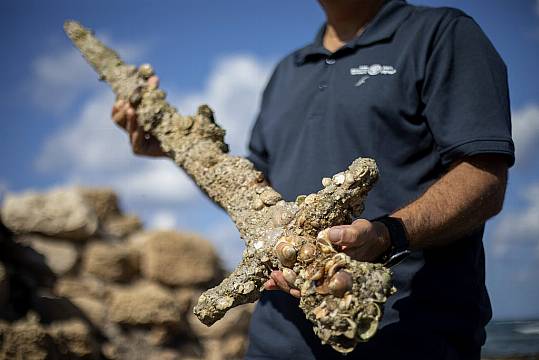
(236, 320)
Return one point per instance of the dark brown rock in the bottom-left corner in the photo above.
(27, 340)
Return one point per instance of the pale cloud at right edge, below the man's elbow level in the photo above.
(519, 228)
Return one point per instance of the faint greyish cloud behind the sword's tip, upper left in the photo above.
(59, 77)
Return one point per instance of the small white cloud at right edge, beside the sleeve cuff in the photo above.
(526, 132)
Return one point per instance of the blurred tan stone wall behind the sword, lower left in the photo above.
(81, 280)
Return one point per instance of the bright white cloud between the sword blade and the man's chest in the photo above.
(233, 90)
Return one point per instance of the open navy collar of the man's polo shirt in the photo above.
(382, 27)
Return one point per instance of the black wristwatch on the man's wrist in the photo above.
(399, 248)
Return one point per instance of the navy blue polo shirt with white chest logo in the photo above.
(419, 89)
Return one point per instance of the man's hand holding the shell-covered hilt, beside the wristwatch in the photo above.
(362, 240)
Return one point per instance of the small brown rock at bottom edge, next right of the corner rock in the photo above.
(74, 340)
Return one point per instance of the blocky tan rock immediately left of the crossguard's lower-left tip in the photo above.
(144, 304)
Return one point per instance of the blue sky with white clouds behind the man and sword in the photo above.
(56, 128)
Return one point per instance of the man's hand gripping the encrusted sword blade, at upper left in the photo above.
(124, 115)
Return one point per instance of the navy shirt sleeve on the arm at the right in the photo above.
(465, 94)
